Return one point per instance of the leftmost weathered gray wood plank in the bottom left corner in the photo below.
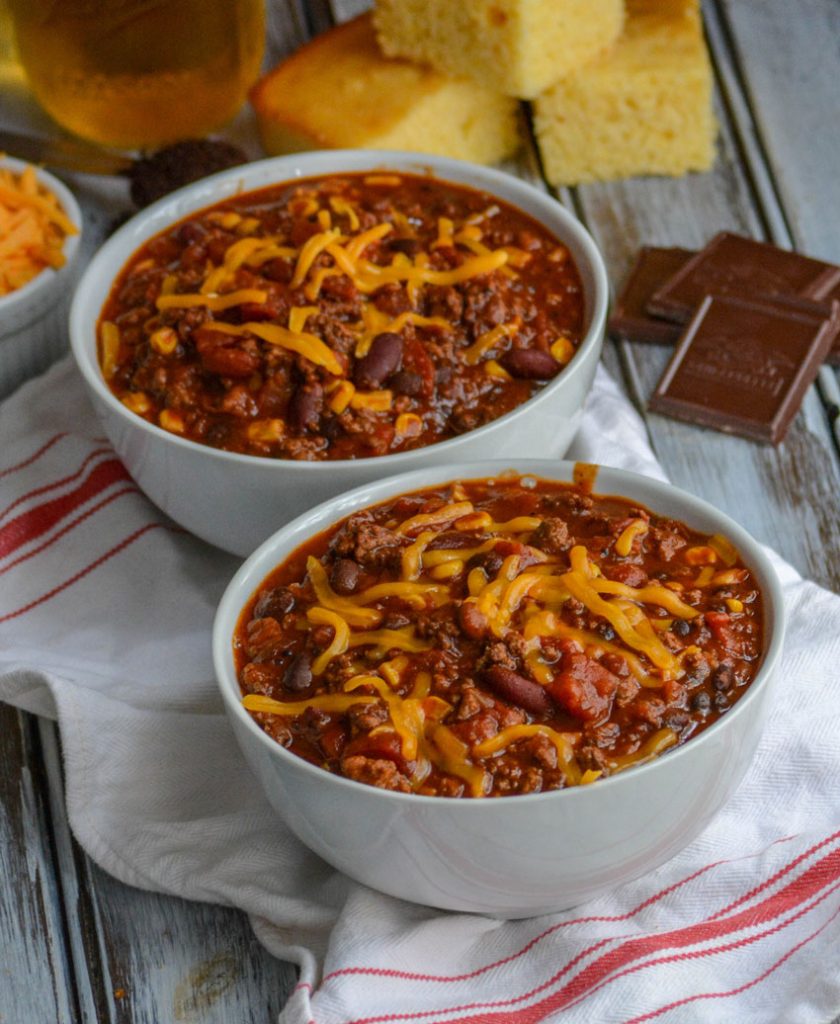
(36, 982)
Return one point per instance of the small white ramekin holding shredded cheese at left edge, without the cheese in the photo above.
(33, 319)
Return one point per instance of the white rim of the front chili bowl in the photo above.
(258, 567)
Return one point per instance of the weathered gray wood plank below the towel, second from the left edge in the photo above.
(141, 958)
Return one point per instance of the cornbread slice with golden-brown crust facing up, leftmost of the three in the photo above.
(341, 92)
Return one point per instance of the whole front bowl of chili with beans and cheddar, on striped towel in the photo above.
(528, 854)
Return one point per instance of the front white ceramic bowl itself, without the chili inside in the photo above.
(513, 857)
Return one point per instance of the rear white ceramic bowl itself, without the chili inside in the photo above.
(236, 501)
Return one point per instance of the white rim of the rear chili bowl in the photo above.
(166, 211)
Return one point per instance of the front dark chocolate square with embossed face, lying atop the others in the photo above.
(743, 367)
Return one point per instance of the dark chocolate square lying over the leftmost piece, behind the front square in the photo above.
(732, 265)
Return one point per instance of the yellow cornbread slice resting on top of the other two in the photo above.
(519, 48)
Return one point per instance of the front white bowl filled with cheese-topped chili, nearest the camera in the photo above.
(498, 634)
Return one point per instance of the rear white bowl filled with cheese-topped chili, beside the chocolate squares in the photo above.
(236, 499)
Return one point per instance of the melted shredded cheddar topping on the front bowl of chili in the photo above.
(525, 593)
